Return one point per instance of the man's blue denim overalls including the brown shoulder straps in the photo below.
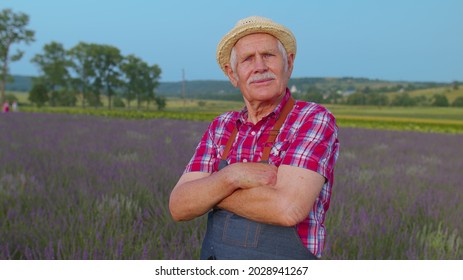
(230, 236)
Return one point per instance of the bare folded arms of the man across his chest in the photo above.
(257, 191)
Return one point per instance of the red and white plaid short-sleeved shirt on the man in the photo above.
(307, 139)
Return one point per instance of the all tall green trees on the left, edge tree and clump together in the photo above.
(87, 71)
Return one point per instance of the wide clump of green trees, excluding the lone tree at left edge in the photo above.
(99, 70)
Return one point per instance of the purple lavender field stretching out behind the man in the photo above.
(86, 187)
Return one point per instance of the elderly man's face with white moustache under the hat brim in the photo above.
(260, 68)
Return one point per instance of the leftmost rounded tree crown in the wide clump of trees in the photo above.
(53, 65)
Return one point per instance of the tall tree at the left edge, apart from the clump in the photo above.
(12, 31)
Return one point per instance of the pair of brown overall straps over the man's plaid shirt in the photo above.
(271, 138)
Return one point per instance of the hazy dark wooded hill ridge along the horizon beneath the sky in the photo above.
(214, 89)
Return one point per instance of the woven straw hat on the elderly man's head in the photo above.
(251, 25)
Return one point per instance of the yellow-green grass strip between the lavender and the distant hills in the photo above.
(427, 119)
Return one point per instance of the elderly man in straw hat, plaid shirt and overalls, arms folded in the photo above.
(264, 174)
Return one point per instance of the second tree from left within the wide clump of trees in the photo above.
(81, 63)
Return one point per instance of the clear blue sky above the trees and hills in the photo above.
(403, 40)
